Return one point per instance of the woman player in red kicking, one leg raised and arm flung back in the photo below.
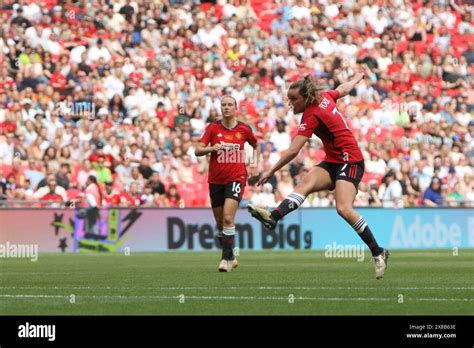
(342, 168)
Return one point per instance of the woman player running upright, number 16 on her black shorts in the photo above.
(225, 140)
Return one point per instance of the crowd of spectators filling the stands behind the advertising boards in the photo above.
(122, 89)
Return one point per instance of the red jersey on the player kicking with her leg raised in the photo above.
(326, 122)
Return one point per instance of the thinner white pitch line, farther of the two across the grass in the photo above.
(229, 288)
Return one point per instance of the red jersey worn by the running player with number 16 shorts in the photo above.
(228, 164)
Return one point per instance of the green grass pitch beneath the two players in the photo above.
(265, 283)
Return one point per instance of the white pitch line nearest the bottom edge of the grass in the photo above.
(251, 298)
